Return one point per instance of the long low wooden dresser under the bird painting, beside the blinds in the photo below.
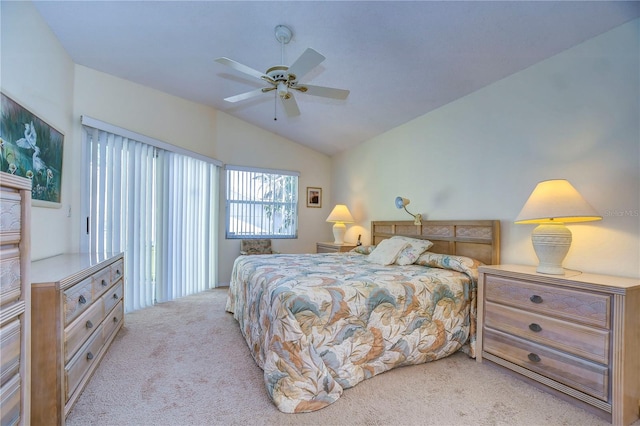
(78, 307)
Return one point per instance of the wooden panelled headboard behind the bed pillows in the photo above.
(479, 239)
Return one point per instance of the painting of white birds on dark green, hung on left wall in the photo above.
(31, 148)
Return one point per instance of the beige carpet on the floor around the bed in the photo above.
(186, 363)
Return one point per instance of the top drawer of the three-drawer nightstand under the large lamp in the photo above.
(578, 306)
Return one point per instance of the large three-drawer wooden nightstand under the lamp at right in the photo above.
(575, 335)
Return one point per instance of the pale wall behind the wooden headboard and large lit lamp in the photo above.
(573, 116)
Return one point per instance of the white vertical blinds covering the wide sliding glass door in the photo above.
(158, 207)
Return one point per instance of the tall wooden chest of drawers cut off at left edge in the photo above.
(15, 303)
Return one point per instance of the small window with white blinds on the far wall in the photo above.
(261, 203)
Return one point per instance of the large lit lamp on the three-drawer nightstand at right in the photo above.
(552, 204)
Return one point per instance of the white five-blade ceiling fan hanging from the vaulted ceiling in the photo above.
(285, 79)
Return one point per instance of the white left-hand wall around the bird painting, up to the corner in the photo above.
(38, 74)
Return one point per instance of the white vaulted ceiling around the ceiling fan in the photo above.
(399, 59)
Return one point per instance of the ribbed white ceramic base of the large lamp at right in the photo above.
(551, 241)
